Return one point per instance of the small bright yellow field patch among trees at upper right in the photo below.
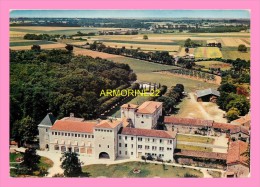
(207, 52)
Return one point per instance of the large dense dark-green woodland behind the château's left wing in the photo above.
(57, 81)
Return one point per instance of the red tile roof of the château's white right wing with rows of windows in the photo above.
(148, 133)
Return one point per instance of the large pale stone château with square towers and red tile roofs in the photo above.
(131, 136)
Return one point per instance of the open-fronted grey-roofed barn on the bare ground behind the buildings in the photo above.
(207, 95)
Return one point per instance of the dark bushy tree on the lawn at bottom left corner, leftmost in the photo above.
(31, 159)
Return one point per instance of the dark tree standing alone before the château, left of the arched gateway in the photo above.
(71, 164)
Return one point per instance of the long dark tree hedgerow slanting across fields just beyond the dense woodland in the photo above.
(162, 57)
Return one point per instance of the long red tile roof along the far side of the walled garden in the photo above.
(187, 121)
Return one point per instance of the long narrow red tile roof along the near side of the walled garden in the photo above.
(202, 154)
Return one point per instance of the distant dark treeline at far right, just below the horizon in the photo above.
(219, 29)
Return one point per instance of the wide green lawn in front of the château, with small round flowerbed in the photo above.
(147, 170)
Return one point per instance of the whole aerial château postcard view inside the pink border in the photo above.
(130, 93)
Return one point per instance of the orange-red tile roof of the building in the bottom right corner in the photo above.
(235, 152)
